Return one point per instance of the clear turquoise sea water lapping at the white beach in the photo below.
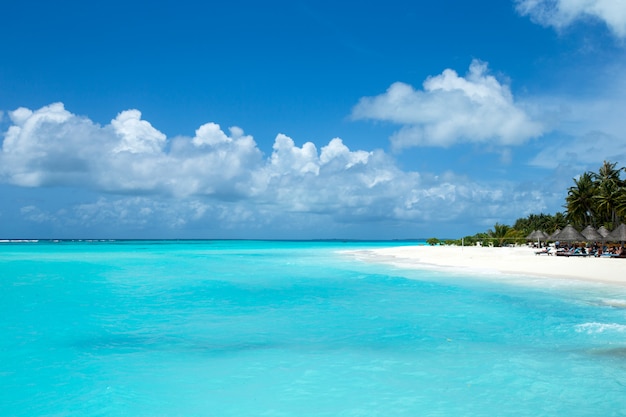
(252, 328)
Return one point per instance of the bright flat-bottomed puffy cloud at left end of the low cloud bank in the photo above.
(51, 146)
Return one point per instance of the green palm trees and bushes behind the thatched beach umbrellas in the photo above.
(596, 199)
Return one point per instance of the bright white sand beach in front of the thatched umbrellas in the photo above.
(488, 261)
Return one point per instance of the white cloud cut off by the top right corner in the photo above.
(562, 13)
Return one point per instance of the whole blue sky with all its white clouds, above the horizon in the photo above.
(302, 119)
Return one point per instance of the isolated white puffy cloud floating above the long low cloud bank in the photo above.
(452, 109)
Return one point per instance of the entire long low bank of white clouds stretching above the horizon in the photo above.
(140, 177)
